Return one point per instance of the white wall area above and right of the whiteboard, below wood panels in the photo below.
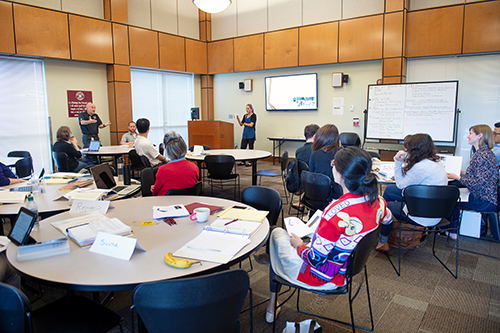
(478, 89)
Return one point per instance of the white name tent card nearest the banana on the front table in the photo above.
(115, 246)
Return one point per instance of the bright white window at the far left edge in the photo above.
(24, 114)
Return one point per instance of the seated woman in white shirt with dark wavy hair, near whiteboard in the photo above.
(418, 164)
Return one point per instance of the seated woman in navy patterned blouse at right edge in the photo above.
(481, 177)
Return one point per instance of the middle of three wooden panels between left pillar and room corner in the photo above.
(172, 52)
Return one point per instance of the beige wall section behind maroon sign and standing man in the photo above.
(64, 75)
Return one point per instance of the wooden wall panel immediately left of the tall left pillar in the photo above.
(91, 39)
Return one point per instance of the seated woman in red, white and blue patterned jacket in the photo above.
(356, 213)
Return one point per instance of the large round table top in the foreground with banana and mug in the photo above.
(84, 270)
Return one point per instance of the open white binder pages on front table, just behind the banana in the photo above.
(213, 246)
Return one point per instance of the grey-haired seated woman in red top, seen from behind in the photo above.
(178, 173)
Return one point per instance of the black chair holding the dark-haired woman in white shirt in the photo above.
(431, 201)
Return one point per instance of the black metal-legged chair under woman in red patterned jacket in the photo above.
(356, 263)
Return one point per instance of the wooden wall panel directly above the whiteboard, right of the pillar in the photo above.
(434, 32)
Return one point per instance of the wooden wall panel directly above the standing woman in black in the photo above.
(249, 53)
